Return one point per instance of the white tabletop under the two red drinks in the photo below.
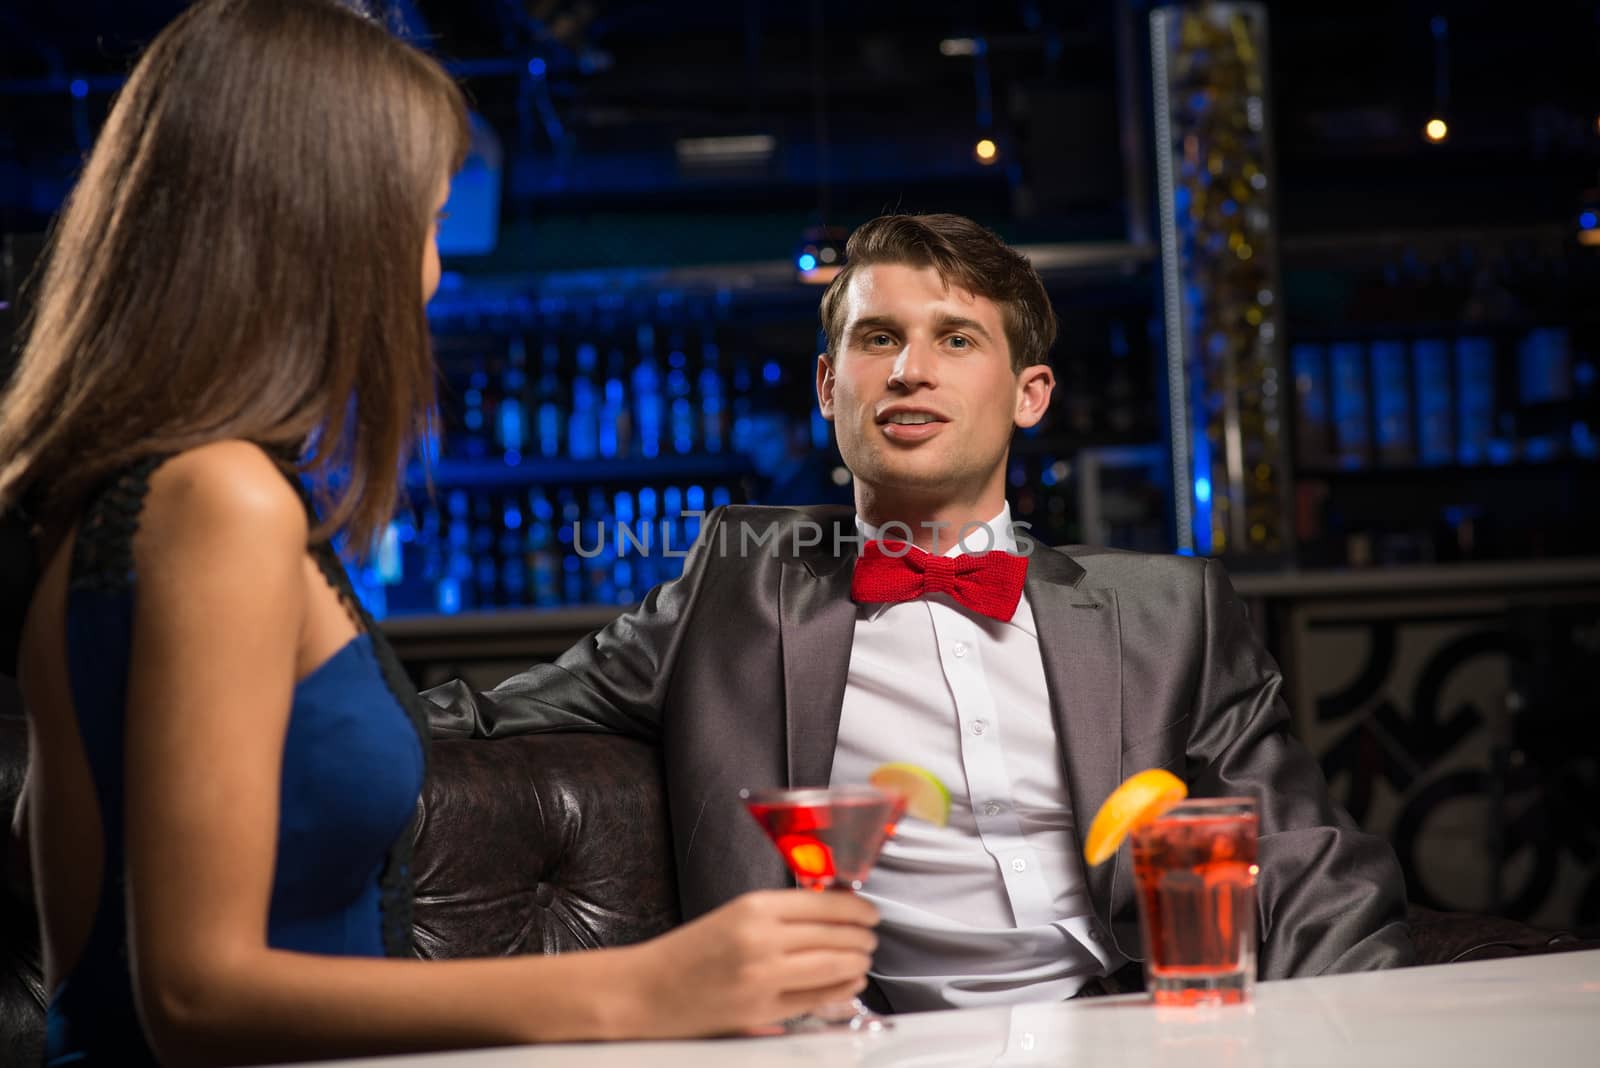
(1535, 1011)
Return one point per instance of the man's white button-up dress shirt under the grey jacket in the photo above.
(991, 909)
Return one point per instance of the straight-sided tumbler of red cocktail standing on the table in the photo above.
(1196, 869)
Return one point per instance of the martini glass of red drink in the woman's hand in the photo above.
(830, 837)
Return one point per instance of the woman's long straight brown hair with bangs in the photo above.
(242, 260)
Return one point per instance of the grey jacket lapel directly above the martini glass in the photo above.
(818, 626)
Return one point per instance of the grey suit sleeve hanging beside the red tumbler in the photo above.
(1332, 896)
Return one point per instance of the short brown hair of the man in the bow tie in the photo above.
(966, 255)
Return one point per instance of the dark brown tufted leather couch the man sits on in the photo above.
(543, 845)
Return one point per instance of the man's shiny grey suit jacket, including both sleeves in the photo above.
(738, 672)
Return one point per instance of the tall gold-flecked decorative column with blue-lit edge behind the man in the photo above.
(1220, 271)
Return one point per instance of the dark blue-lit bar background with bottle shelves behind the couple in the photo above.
(1327, 277)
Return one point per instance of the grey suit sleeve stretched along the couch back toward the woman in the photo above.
(612, 682)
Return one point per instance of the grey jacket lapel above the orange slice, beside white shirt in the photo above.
(1081, 647)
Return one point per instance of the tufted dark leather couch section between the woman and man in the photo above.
(542, 843)
